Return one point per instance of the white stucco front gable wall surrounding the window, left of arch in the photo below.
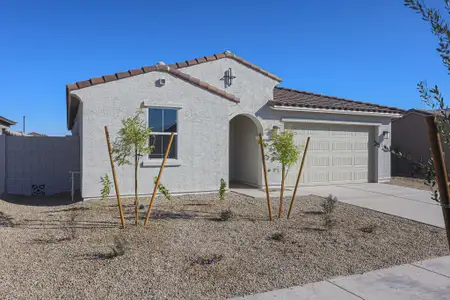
(202, 133)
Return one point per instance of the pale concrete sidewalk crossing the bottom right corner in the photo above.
(428, 279)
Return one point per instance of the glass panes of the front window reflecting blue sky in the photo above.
(163, 121)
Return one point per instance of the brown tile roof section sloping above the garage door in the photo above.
(289, 97)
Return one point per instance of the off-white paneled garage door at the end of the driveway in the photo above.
(336, 154)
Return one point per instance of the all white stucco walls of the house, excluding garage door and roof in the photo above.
(203, 127)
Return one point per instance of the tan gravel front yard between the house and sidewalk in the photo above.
(78, 251)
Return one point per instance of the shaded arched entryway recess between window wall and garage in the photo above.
(244, 154)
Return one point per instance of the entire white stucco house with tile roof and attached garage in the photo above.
(217, 105)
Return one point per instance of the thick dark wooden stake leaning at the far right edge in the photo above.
(441, 172)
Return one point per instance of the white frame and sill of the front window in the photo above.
(170, 162)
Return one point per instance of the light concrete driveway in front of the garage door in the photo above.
(405, 202)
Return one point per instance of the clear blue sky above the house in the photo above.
(373, 51)
